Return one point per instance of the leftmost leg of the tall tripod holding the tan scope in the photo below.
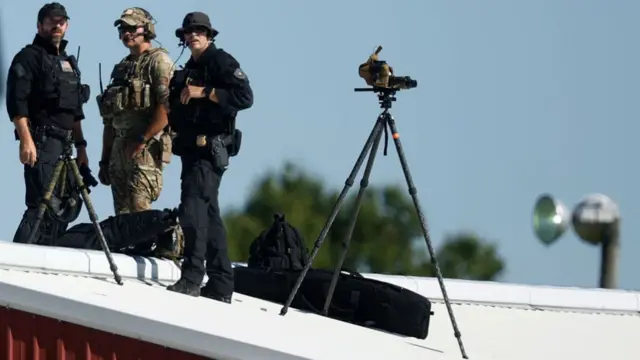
(376, 132)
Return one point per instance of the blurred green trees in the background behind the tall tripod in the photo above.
(387, 237)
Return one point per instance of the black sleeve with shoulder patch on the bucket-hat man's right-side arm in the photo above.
(236, 93)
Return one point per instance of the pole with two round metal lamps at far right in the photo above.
(595, 219)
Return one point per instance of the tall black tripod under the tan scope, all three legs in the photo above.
(384, 123)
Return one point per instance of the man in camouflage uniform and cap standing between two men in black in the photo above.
(136, 139)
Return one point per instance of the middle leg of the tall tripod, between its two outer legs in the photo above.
(364, 182)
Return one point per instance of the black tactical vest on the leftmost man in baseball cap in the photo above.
(60, 83)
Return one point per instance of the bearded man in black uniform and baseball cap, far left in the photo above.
(44, 101)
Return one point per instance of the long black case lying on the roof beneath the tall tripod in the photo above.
(357, 300)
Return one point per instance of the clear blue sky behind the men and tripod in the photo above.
(514, 99)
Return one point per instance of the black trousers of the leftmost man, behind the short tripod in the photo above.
(36, 180)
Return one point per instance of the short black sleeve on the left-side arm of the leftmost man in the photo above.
(20, 82)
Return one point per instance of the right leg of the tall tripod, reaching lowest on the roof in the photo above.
(414, 195)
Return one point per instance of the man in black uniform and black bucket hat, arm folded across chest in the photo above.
(205, 98)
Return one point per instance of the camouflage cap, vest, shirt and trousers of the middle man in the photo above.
(137, 86)
